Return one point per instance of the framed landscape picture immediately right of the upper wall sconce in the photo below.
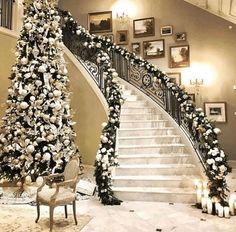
(144, 27)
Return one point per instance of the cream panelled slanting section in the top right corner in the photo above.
(223, 8)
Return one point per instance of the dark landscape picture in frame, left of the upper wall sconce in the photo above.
(99, 22)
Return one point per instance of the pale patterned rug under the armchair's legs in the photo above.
(22, 219)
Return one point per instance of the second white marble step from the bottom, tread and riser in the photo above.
(154, 181)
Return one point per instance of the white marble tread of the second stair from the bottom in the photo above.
(157, 177)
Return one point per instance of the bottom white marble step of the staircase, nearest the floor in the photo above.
(183, 195)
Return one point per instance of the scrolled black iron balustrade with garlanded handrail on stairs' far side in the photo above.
(155, 84)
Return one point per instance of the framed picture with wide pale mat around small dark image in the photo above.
(215, 111)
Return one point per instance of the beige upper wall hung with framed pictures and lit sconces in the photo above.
(210, 39)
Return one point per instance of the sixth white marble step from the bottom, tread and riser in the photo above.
(138, 140)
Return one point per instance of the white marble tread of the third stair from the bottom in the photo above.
(154, 166)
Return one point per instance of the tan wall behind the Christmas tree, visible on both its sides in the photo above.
(88, 109)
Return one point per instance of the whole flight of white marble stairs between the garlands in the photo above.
(154, 162)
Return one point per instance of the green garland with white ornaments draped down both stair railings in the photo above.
(203, 133)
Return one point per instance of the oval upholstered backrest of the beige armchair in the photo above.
(72, 169)
